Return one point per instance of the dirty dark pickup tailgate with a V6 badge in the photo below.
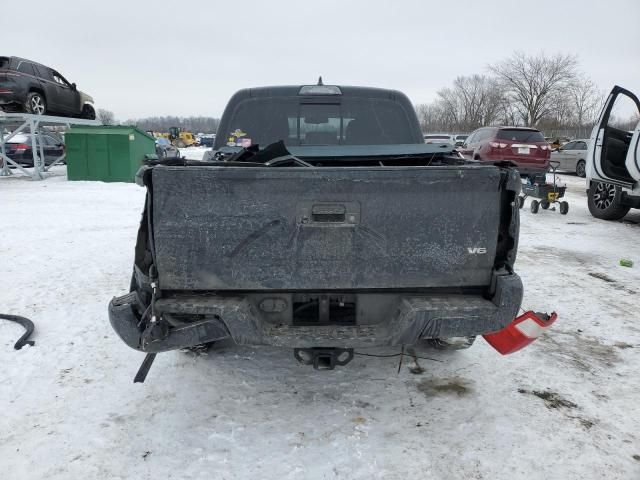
(274, 228)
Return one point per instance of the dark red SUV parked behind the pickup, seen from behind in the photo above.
(525, 147)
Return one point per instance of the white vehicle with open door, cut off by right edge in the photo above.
(613, 159)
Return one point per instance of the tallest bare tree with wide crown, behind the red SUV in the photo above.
(533, 83)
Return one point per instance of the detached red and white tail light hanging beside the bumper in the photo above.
(521, 332)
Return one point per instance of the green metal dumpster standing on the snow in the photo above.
(106, 153)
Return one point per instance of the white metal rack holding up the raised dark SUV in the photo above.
(24, 123)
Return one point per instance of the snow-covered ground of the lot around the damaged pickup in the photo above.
(567, 407)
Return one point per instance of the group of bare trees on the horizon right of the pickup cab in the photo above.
(543, 91)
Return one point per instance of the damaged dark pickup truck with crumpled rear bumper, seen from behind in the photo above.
(321, 222)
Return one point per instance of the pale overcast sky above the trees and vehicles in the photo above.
(141, 58)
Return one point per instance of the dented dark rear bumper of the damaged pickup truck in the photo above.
(416, 317)
